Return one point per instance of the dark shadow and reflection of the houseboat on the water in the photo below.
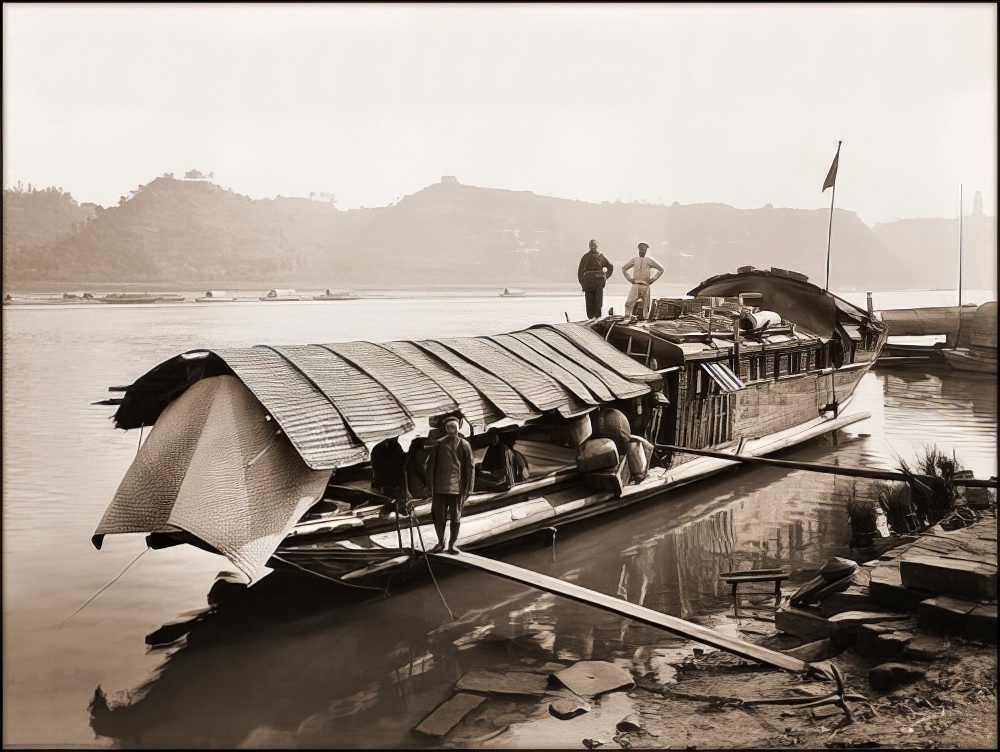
(299, 663)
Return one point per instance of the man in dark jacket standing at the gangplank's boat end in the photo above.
(450, 475)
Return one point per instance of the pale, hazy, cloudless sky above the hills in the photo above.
(737, 104)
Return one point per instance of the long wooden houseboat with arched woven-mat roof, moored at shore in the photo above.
(264, 454)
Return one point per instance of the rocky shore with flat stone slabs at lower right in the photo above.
(911, 635)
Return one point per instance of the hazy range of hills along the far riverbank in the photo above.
(194, 233)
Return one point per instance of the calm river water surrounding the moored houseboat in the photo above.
(293, 664)
